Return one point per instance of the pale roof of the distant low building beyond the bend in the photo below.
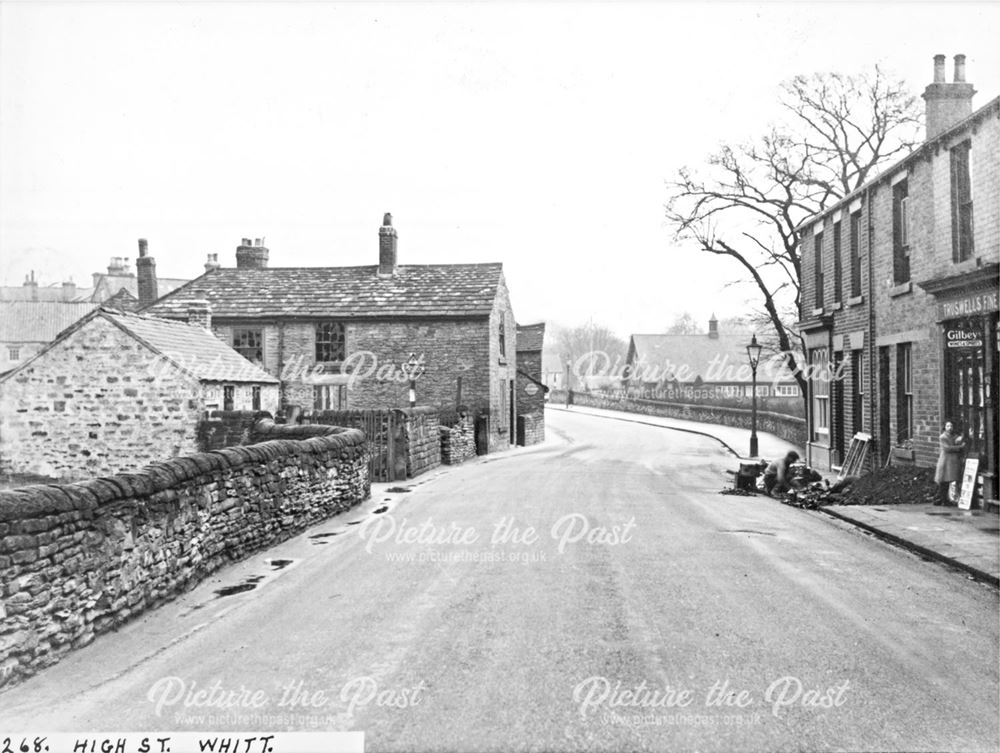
(719, 358)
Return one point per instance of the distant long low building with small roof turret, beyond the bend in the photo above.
(702, 368)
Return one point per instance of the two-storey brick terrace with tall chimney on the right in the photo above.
(900, 299)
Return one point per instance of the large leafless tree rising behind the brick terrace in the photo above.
(748, 200)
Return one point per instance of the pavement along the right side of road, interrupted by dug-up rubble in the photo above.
(965, 539)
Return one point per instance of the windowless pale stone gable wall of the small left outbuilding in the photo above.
(98, 402)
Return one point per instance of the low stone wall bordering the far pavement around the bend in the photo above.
(790, 428)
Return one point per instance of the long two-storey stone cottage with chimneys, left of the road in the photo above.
(378, 336)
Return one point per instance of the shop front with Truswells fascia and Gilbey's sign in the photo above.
(967, 309)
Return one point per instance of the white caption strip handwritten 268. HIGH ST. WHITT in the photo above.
(184, 742)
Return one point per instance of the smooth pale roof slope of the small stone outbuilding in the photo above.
(196, 350)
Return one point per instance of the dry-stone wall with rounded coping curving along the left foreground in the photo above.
(77, 560)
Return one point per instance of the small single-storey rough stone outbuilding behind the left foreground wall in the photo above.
(116, 391)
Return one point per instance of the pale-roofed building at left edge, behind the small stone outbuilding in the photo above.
(28, 326)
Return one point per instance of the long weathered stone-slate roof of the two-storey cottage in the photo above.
(426, 290)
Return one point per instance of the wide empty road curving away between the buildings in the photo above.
(591, 593)
